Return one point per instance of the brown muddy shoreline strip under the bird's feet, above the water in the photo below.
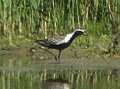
(22, 59)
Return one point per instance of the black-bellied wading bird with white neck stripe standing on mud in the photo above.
(60, 45)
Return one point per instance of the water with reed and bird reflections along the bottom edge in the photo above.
(65, 79)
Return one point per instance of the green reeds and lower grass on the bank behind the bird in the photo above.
(45, 18)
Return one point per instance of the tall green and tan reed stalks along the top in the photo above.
(24, 16)
